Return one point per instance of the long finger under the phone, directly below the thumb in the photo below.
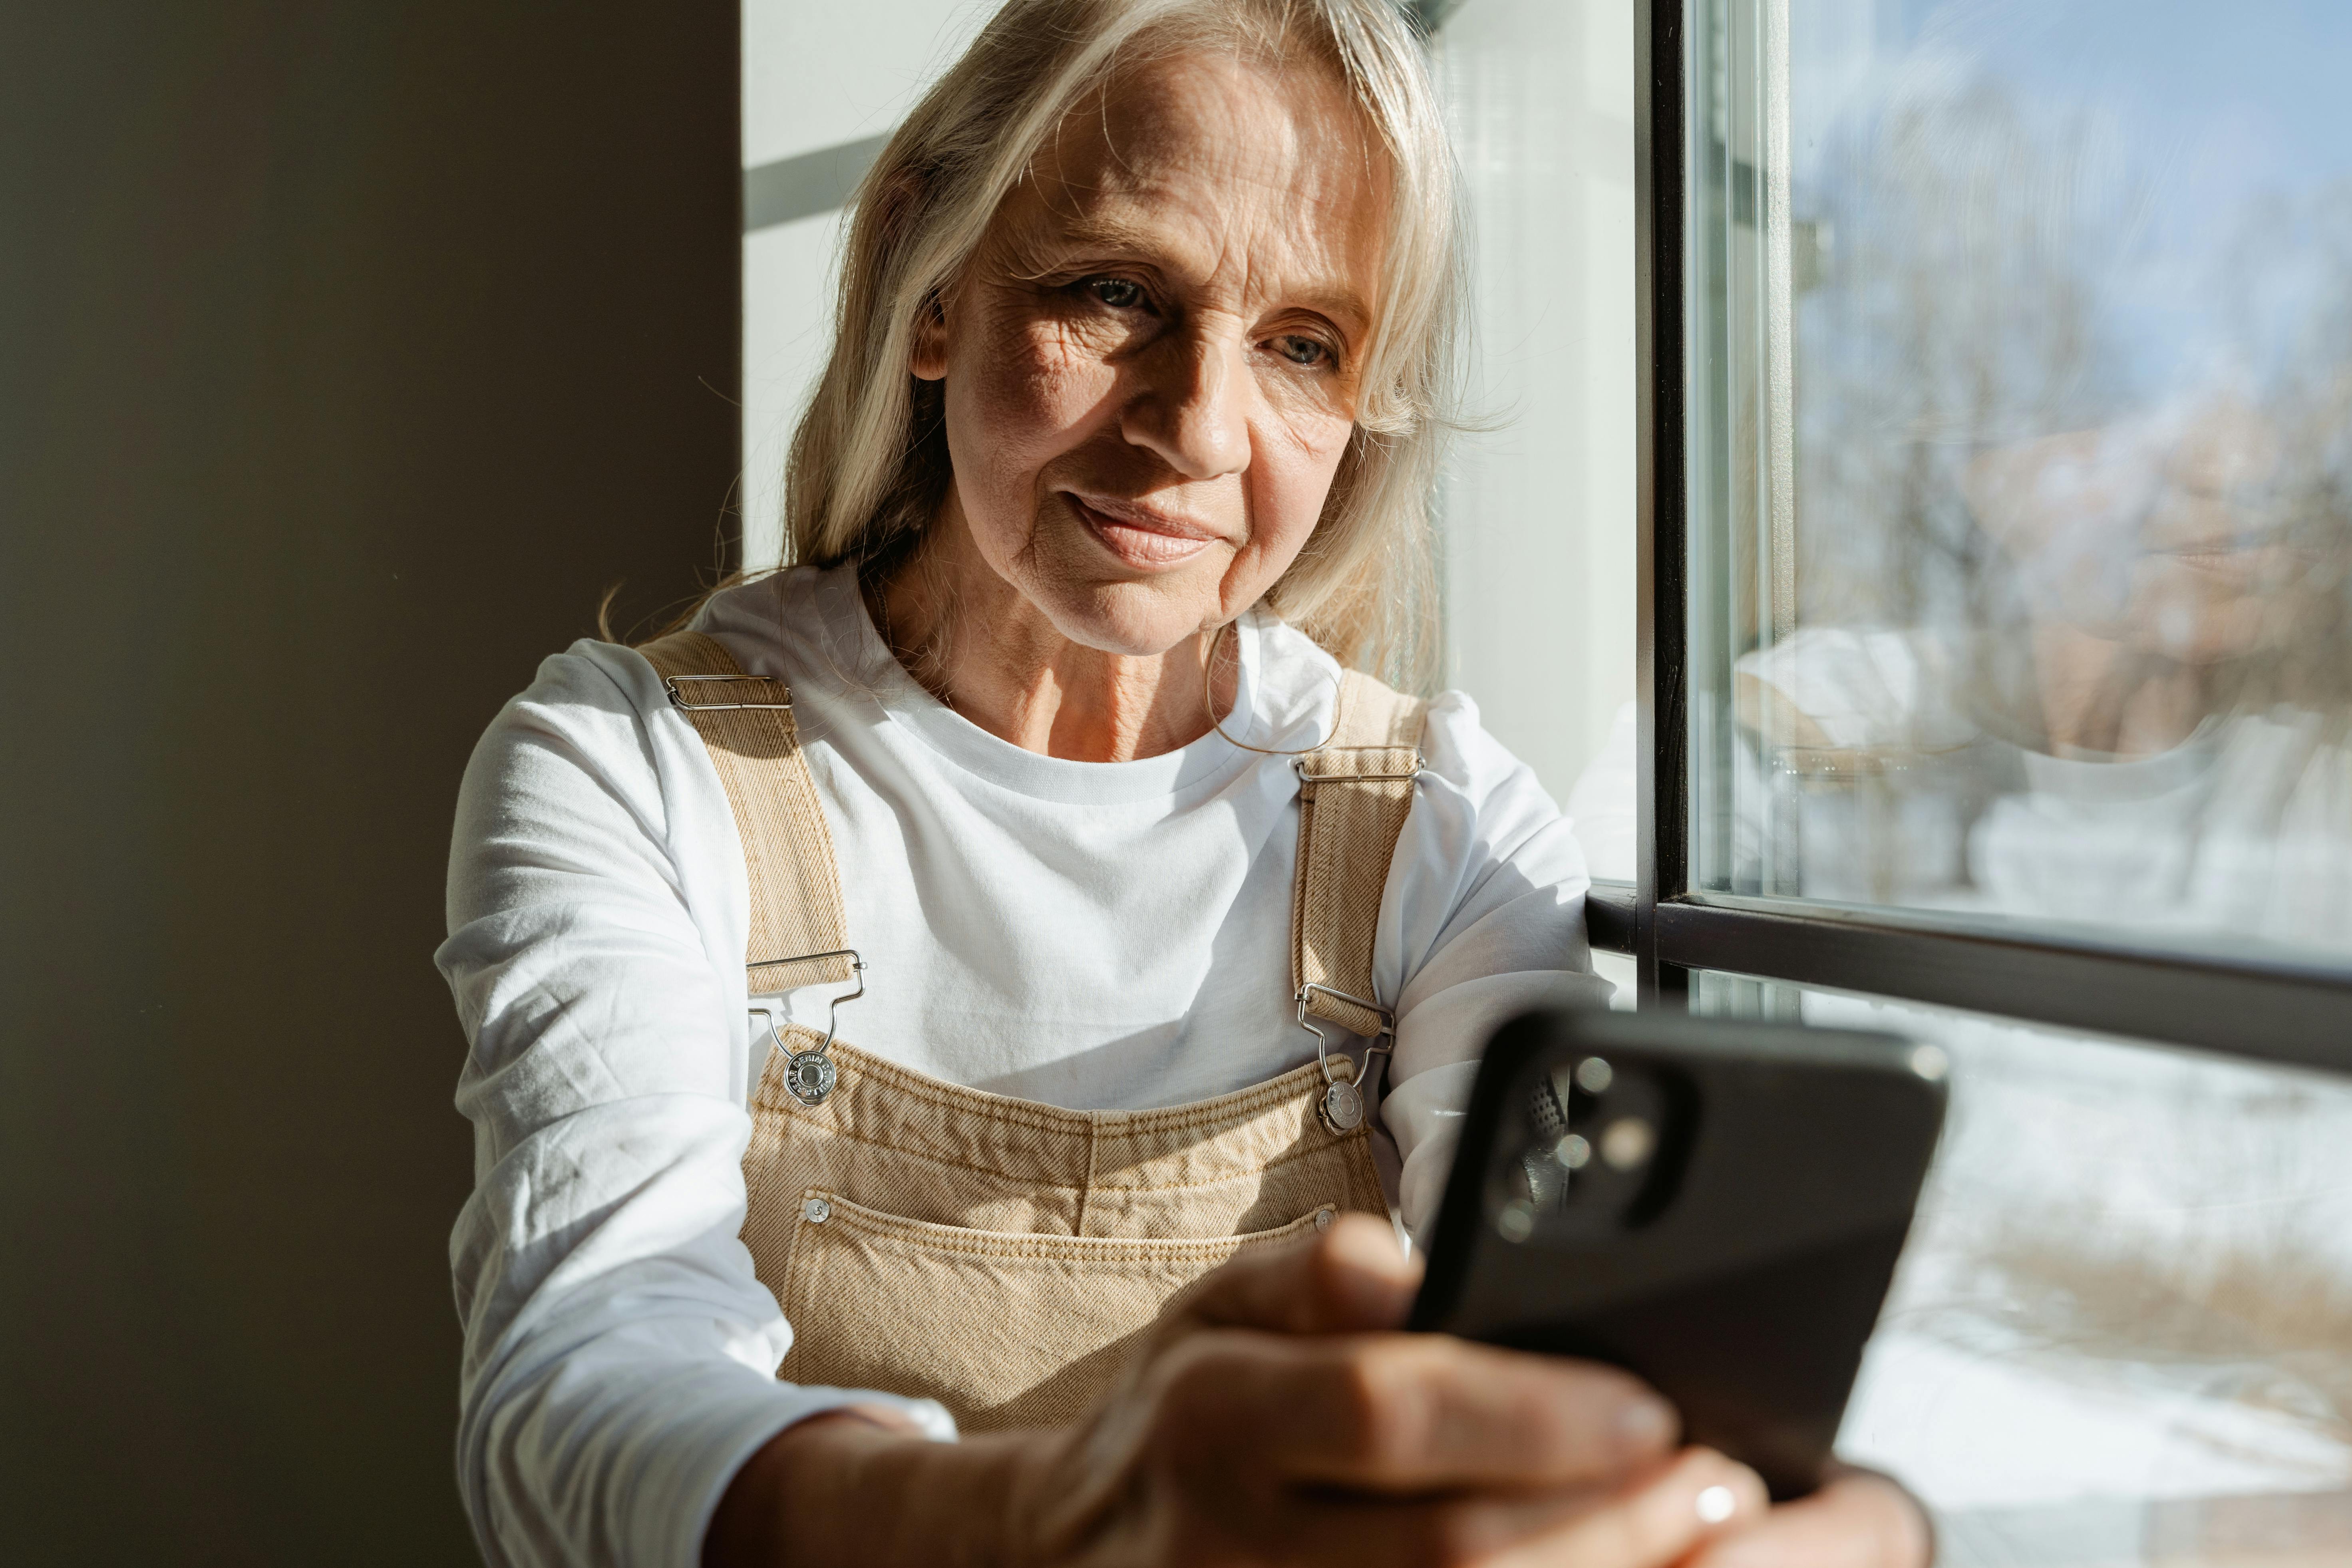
(1405, 1414)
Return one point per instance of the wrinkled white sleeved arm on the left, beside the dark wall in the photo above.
(620, 1353)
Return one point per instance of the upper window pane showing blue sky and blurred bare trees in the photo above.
(2022, 462)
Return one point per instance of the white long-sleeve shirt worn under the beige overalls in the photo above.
(1069, 932)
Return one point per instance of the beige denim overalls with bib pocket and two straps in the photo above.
(994, 1254)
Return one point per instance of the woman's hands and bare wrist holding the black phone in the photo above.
(1283, 1421)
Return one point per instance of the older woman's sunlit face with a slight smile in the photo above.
(1151, 366)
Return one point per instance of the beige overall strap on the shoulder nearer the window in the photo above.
(1354, 796)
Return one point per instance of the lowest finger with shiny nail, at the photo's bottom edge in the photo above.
(1650, 1525)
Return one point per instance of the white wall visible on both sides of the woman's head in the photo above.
(1537, 514)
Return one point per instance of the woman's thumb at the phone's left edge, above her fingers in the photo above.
(1349, 1280)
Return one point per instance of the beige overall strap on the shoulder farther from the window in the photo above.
(796, 890)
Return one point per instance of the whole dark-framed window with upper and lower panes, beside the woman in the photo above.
(1998, 690)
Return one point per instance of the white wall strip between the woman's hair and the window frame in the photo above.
(1539, 514)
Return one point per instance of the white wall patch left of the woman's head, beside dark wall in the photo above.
(815, 76)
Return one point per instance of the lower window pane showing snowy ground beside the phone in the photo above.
(2123, 1329)
